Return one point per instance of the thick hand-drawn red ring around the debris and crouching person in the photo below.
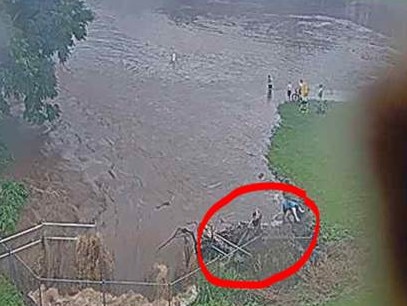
(277, 277)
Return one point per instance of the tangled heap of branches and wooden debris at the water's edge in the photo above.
(229, 240)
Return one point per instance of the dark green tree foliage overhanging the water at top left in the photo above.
(36, 35)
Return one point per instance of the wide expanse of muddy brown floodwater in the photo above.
(138, 131)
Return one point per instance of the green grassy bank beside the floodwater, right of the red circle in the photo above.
(323, 154)
